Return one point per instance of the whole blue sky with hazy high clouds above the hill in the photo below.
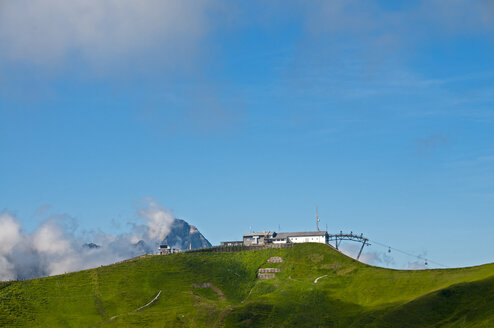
(239, 114)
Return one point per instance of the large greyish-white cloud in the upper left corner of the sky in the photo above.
(46, 32)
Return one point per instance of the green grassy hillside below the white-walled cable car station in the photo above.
(222, 290)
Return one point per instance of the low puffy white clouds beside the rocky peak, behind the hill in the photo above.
(55, 249)
